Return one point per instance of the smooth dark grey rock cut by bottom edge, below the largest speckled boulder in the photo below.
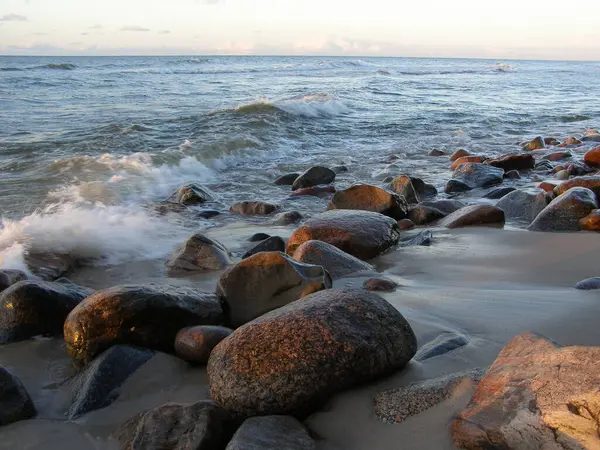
(271, 433)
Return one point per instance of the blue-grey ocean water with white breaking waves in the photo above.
(90, 145)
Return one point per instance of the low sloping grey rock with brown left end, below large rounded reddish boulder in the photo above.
(336, 262)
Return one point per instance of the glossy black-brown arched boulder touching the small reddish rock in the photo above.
(148, 316)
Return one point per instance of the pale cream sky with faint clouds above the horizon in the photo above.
(510, 29)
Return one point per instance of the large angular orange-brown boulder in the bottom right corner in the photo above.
(536, 395)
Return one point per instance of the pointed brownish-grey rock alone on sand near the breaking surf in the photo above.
(199, 254)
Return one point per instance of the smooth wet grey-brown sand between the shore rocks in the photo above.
(489, 284)
